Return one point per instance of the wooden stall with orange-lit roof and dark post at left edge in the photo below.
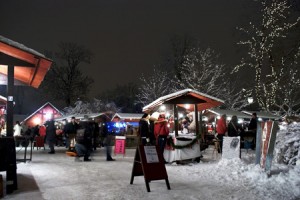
(19, 65)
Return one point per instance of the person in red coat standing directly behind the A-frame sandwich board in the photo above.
(161, 132)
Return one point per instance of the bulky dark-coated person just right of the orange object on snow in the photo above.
(84, 137)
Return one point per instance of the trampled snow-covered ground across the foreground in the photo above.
(59, 177)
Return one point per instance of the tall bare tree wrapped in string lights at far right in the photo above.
(263, 50)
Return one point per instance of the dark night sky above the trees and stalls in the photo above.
(126, 37)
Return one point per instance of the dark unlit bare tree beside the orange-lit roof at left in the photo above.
(65, 80)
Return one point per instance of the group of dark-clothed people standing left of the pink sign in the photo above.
(80, 138)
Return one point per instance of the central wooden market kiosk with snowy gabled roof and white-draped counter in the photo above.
(184, 146)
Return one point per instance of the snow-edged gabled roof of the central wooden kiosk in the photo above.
(209, 101)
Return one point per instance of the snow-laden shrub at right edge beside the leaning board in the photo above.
(288, 144)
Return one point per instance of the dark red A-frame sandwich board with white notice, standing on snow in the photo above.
(148, 161)
